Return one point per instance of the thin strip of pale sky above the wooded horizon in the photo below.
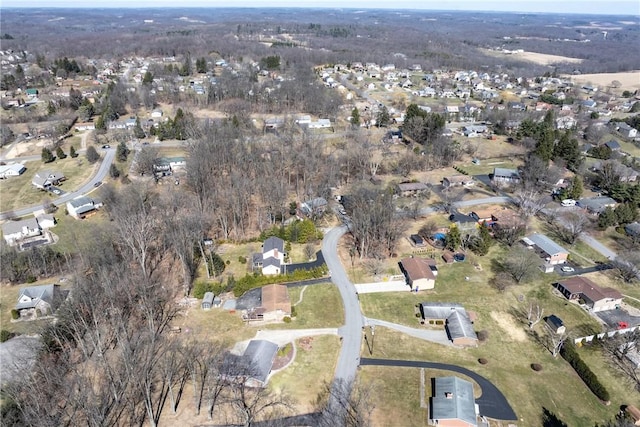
(596, 7)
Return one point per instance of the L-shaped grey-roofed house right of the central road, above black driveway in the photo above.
(454, 317)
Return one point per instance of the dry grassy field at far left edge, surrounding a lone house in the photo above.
(18, 191)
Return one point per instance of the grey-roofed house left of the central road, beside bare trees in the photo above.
(253, 366)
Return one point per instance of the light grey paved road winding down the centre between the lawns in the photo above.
(351, 331)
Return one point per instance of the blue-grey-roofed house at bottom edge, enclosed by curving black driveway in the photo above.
(452, 403)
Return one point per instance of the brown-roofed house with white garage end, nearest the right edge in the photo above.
(583, 290)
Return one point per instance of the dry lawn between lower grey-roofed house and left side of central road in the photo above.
(312, 367)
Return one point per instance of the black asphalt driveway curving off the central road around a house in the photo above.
(492, 403)
